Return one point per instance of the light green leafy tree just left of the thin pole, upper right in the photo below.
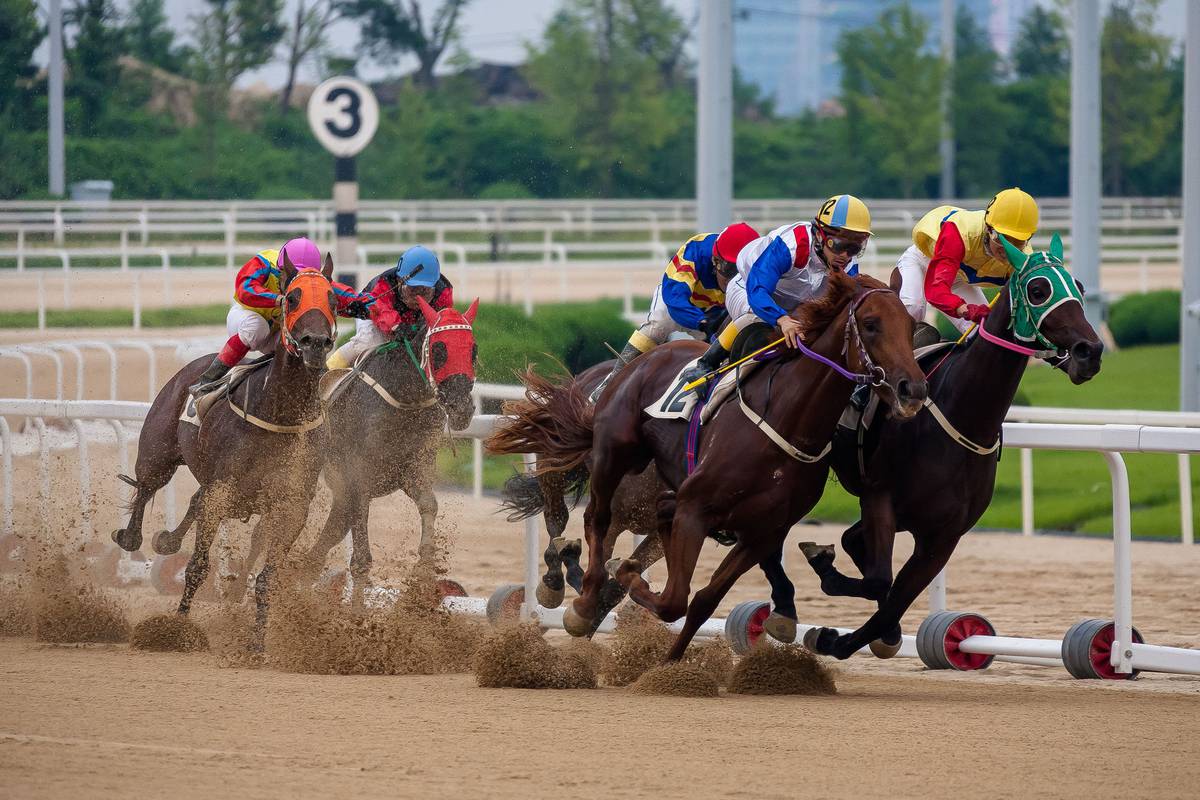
(891, 87)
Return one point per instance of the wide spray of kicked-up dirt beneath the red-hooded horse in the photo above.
(310, 631)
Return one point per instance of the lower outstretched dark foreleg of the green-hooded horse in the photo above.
(927, 561)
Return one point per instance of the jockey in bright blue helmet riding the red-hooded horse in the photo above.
(393, 308)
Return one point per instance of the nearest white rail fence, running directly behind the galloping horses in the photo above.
(1112, 441)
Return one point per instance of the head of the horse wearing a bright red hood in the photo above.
(448, 358)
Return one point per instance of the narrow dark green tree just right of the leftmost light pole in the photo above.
(94, 74)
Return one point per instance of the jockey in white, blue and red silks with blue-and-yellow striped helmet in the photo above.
(779, 272)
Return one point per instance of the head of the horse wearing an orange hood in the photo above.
(309, 306)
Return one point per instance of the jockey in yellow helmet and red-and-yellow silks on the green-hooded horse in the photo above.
(956, 250)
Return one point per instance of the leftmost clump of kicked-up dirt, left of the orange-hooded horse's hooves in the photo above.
(68, 612)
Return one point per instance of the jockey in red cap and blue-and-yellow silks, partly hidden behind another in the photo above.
(691, 298)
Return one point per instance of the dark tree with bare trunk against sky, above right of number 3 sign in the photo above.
(393, 28)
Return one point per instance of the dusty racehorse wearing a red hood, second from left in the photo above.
(394, 406)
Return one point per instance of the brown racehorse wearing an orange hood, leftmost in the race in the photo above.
(259, 449)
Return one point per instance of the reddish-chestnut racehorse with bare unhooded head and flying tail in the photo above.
(753, 479)
